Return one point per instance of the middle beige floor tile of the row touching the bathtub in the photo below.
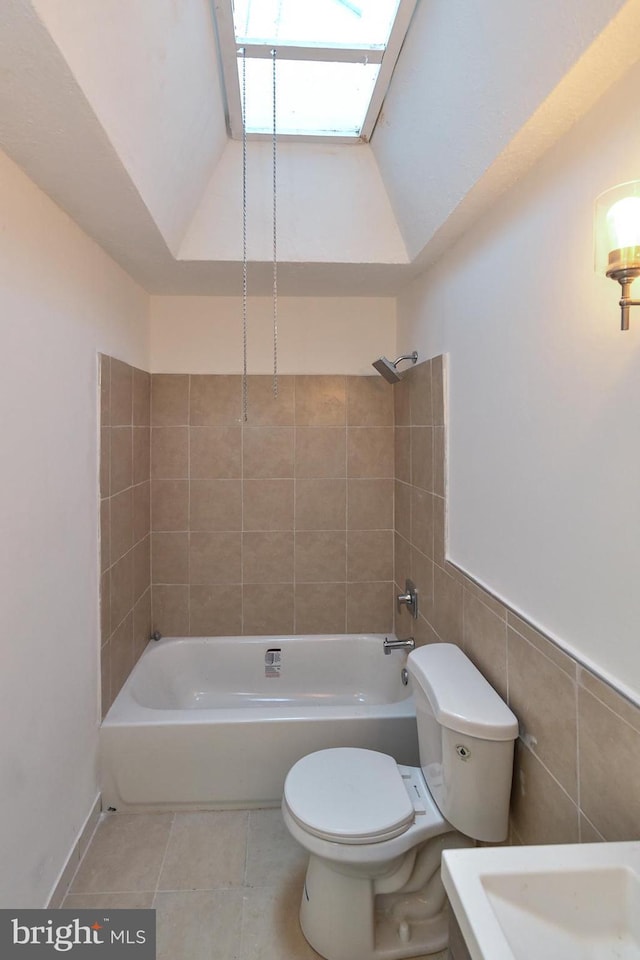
(206, 850)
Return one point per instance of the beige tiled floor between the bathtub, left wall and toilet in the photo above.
(225, 885)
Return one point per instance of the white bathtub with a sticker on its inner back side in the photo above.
(214, 722)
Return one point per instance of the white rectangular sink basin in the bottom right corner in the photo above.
(568, 902)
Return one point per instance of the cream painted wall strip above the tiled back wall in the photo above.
(315, 335)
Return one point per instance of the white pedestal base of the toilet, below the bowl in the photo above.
(343, 918)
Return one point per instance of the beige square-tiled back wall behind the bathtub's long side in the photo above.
(282, 523)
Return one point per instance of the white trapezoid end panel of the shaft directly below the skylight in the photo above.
(332, 206)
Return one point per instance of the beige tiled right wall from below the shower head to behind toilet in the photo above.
(577, 770)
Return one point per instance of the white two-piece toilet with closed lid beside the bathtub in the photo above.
(375, 830)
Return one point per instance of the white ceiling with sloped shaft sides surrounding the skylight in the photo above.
(117, 111)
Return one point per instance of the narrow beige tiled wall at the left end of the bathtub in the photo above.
(125, 591)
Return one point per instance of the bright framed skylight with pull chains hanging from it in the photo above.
(334, 63)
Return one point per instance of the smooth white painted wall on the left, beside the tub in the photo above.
(61, 300)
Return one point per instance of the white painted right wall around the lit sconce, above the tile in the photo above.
(544, 398)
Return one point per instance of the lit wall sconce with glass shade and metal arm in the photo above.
(618, 240)
